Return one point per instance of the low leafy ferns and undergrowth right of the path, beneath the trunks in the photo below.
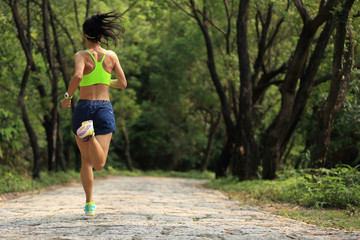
(320, 188)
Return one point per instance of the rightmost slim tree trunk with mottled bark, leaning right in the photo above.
(338, 87)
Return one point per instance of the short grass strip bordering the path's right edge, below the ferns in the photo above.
(275, 197)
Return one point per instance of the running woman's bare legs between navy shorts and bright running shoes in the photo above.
(93, 154)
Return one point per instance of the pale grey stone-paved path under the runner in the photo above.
(148, 208)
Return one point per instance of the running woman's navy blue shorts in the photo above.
(100, 111)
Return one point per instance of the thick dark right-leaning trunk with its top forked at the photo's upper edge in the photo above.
(273, 137)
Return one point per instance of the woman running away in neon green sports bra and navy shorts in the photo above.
(93, 121)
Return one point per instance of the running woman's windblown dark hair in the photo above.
(103, 25)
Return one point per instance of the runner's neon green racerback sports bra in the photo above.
(97, 76)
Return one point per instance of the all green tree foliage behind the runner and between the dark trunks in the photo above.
(170, 103)
